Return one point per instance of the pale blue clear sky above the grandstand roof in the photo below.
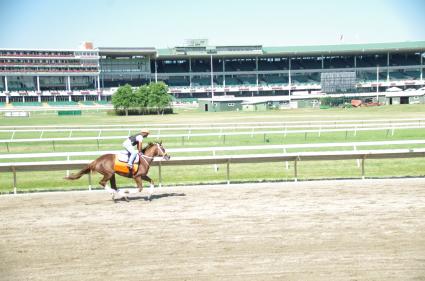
(64, 24)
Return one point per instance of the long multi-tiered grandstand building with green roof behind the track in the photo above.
(197, 70)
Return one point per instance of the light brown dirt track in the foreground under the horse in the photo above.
(329, 230)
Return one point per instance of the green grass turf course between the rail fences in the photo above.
(206, 174)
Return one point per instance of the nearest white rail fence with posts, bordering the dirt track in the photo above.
(227, 160)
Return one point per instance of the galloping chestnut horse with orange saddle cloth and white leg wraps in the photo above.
(108, 164)
